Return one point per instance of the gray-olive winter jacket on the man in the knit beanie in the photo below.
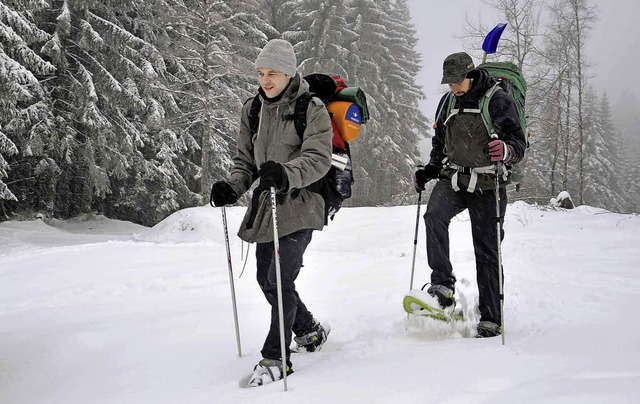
(305, 161)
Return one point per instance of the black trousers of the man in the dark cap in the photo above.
(443, 205)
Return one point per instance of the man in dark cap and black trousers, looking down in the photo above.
(463, 159)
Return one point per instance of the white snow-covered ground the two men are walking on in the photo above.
(102, 311)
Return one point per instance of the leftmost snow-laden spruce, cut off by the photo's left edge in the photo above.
(25, 117)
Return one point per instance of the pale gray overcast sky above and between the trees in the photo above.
(613, 48)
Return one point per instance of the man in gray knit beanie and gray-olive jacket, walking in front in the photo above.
(277, 157)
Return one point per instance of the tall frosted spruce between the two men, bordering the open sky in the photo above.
(385, 66)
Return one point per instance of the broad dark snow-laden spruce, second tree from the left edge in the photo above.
(112, 106)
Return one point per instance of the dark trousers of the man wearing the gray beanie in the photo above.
(296, 315)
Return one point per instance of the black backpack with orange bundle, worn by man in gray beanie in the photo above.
(347, 107)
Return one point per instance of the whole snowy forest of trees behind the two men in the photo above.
(130, 109)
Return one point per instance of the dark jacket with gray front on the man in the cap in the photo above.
(471, 135)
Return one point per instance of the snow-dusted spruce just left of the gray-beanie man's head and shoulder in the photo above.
(215, 44)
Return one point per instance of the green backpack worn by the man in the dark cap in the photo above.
(510, 80)
